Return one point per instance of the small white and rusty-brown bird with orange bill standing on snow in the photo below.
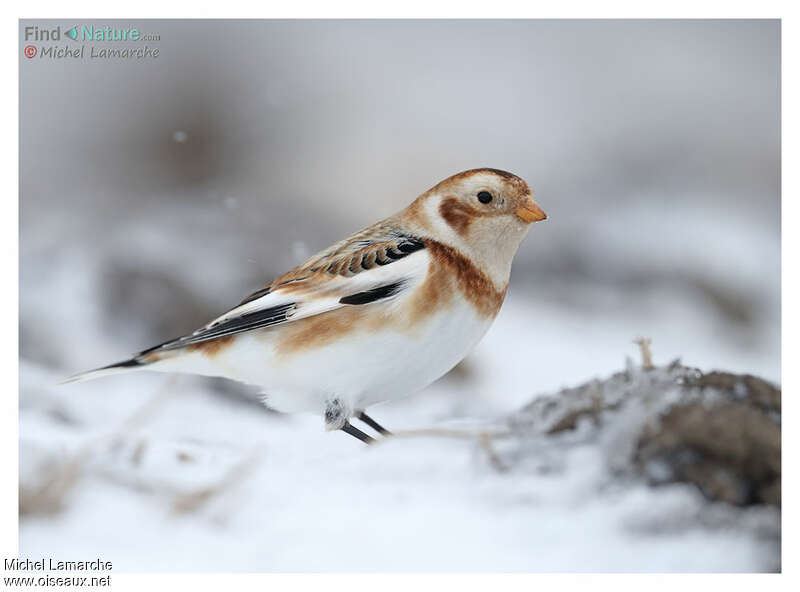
(373, 318)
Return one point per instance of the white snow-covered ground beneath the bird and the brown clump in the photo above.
(293, 498)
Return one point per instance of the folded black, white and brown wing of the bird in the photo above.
(374, 264)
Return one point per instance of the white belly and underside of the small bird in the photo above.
(360, 369)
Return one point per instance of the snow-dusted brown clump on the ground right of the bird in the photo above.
(720, 431)
